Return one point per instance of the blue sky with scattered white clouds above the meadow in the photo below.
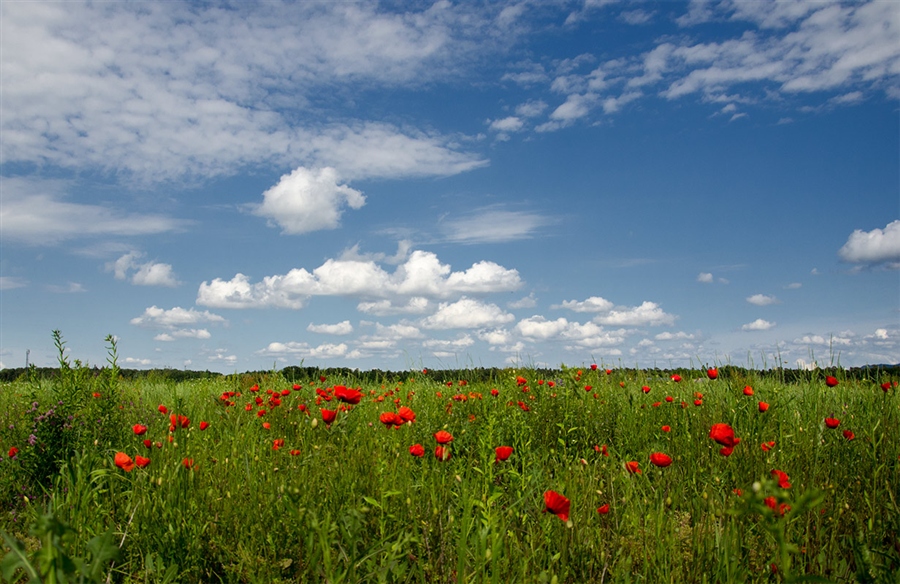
(405, 185)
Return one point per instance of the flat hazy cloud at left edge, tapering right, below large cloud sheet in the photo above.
(34, 212)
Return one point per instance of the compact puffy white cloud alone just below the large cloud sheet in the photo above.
(308, 200)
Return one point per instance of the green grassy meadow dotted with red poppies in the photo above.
(583, 474)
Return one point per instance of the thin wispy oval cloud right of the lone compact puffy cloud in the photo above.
(492, 225)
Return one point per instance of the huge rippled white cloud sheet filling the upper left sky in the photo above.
(100, 86)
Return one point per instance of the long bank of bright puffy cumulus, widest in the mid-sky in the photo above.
(422, 276)
